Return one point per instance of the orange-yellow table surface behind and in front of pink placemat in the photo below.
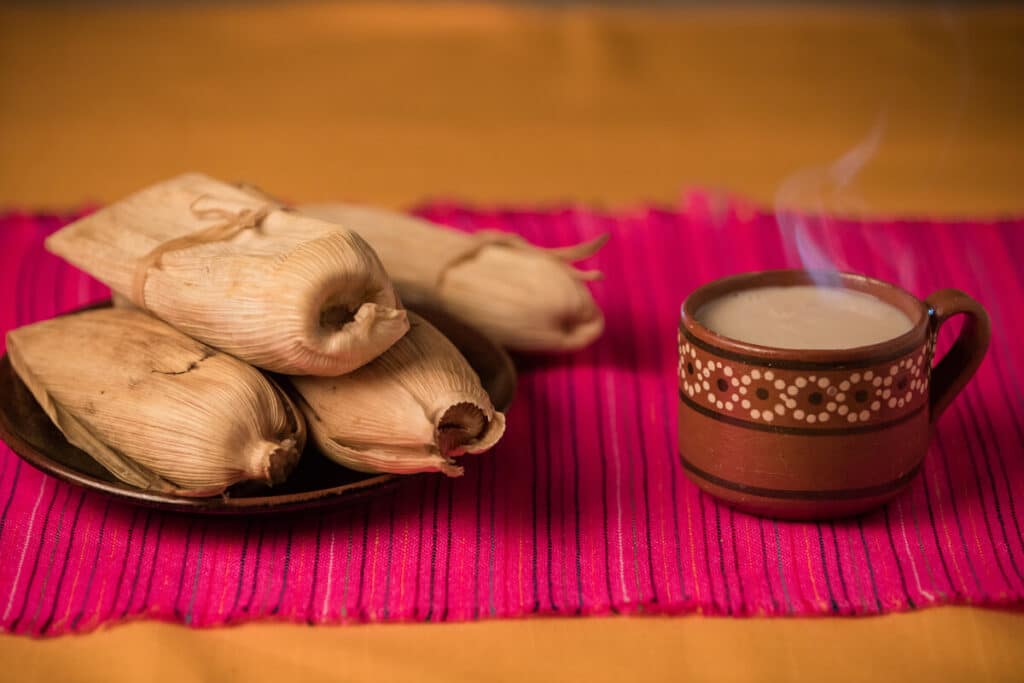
(496, 104)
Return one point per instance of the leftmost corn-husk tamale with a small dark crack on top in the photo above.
(160, 411)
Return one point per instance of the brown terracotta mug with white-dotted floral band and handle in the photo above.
(806, 435)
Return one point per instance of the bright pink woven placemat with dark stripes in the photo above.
(584, 508)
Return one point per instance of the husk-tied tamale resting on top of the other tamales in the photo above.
(282, 291)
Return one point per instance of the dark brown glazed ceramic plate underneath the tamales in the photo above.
(316, 482)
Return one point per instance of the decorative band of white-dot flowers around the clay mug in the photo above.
(880, 394)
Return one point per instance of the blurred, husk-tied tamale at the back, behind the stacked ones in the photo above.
(525, 297)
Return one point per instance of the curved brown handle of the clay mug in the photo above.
(959, 366)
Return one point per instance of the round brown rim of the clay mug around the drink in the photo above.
(714, 343)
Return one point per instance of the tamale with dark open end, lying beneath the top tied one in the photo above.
(412, 410)
